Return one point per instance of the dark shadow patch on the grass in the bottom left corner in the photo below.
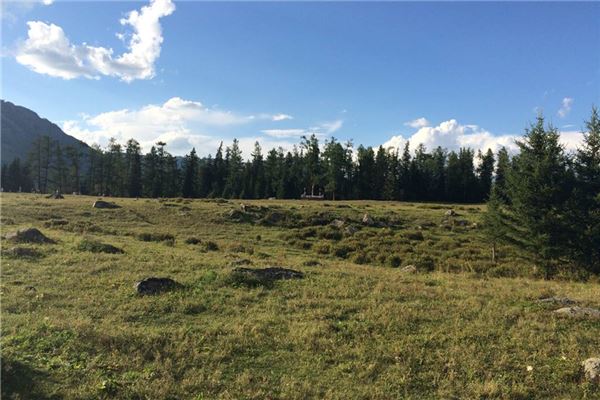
(20, 381)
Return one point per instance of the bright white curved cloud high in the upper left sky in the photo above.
(49, 51)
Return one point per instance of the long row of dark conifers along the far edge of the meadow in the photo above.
(335, 170)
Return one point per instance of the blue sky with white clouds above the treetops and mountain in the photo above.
(441, 73)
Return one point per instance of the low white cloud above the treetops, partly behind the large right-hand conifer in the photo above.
(452, 135)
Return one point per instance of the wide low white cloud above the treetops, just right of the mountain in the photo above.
(180, 123)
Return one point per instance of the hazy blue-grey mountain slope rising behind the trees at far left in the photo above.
(20, 126)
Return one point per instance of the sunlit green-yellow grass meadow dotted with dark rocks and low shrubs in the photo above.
(356, 327)
